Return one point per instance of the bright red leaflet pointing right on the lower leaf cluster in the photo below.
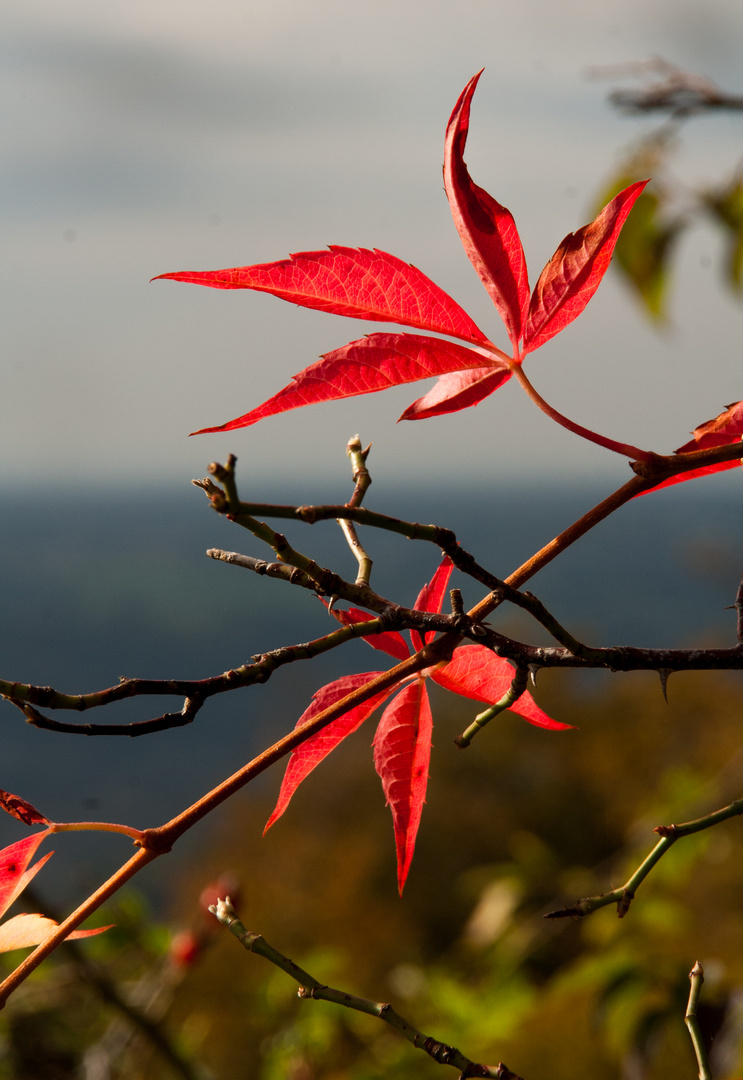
(478, 673)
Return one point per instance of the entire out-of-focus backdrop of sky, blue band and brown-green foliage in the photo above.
(145, 139)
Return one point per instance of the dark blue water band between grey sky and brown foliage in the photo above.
(98, 585)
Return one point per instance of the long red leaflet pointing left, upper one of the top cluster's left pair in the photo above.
(353, 282)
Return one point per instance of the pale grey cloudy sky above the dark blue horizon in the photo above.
(146, 138)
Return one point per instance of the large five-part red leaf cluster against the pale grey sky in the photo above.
(375, 286)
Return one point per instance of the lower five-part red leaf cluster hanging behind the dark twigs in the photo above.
(402, 746)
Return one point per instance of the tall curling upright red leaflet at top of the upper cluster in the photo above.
(488, 231)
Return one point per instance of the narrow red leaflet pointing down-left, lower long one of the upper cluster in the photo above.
(363, 368)
